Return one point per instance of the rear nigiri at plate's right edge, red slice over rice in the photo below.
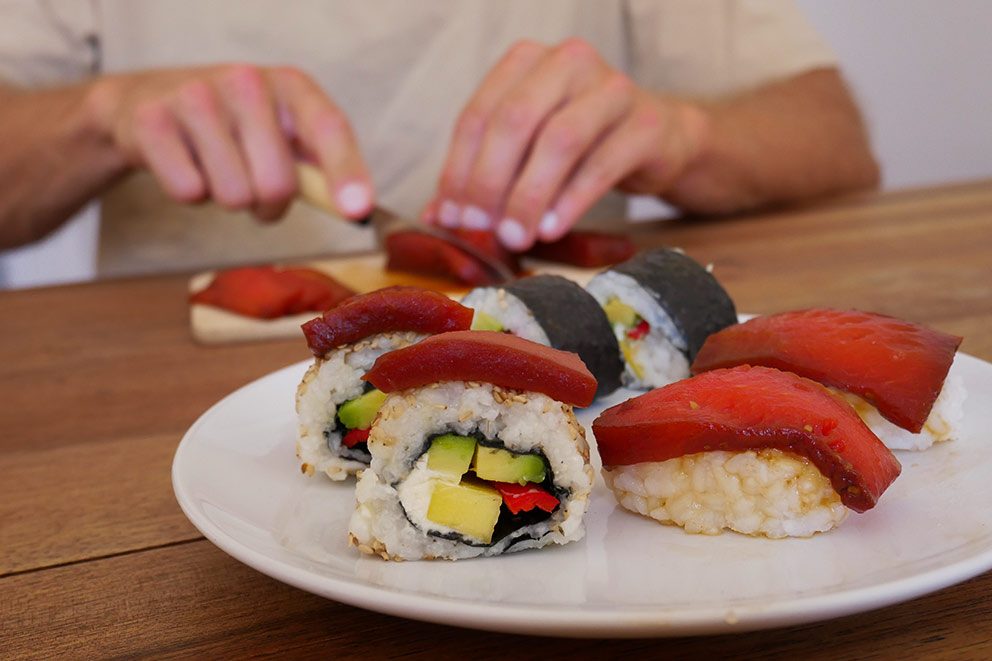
(893, 372)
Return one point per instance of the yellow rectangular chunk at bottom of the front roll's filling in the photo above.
(468, 507)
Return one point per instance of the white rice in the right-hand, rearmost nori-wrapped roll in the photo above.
(661, 354)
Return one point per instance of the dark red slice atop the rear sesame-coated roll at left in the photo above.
(392, 309)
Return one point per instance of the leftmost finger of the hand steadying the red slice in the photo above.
(470, 127)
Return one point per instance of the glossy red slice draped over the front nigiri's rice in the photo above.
(751, 408)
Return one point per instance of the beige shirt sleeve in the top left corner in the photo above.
(47, 42)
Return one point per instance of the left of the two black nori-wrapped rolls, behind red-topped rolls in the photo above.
(556, 312)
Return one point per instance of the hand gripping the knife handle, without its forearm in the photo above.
(232, 134)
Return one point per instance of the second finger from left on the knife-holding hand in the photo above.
(208, 128)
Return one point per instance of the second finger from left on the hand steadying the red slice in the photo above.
(561, 75)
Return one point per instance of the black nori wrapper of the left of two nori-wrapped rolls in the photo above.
(573, 321)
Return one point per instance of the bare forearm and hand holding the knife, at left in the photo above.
(227, 133)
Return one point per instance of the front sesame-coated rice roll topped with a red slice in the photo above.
(476, 450)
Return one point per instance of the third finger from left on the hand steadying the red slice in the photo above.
(565, 138)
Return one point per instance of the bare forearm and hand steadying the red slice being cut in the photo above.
(552, 129)
